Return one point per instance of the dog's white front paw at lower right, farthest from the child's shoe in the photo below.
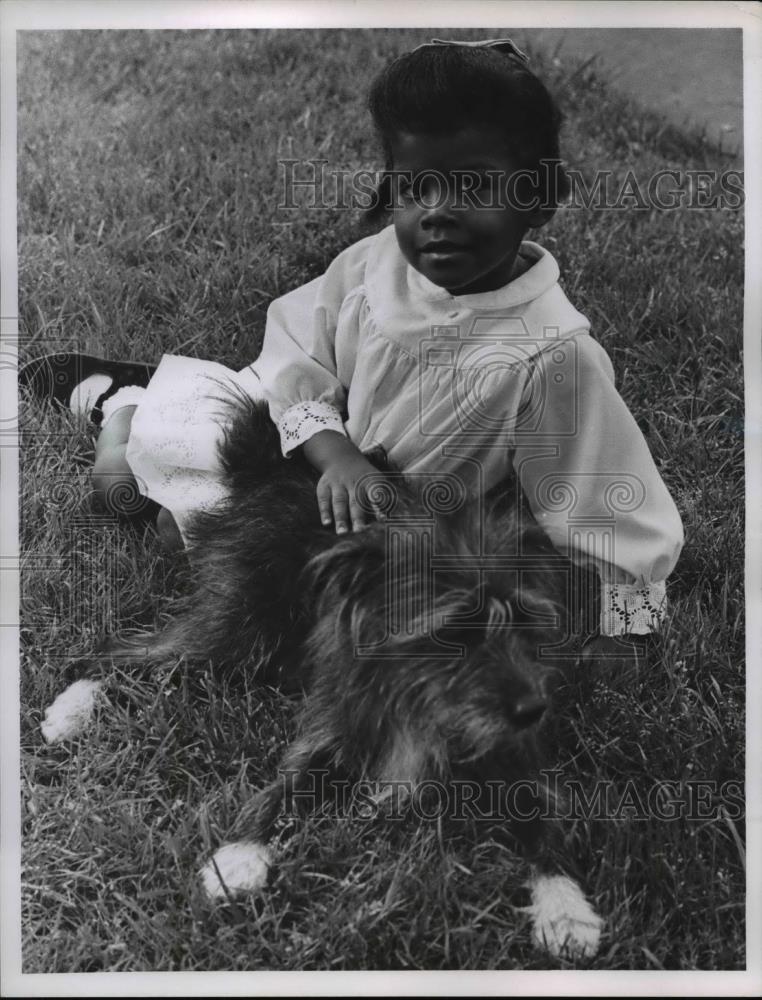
(563, 921)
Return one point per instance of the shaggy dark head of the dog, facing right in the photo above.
(432, 633)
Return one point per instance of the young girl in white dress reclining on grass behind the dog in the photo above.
(445, 339)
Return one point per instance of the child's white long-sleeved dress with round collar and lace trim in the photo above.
(474, 386)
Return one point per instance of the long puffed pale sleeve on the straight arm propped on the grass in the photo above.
(592, 484)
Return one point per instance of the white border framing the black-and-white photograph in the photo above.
(208, 14)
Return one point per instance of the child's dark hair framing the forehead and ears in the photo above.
(442, 88)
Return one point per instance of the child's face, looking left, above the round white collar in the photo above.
(443, 229)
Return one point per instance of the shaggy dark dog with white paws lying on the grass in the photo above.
(417, 641)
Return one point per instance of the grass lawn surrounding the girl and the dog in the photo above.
(148, 223)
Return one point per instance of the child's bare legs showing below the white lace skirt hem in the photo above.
(115, 484)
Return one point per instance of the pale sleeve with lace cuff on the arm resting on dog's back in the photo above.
(297, 367)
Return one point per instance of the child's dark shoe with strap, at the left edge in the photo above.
(54, 377)
